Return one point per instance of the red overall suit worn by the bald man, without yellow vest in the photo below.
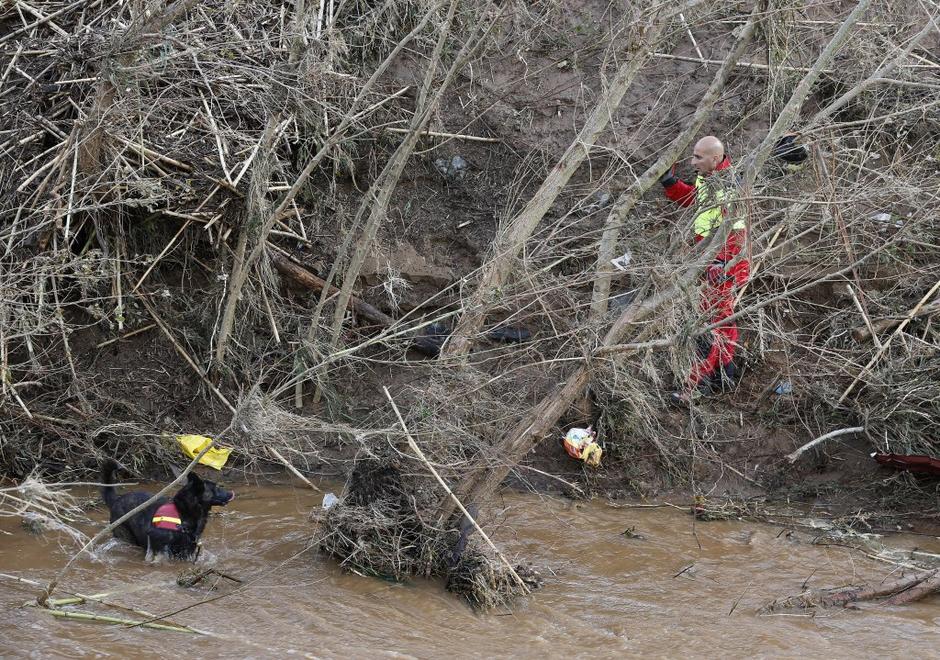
(722, 281)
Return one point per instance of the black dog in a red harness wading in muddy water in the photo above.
(169, 526)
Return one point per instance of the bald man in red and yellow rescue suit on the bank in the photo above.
(724, 276)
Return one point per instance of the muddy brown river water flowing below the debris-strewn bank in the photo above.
(606, 595)
